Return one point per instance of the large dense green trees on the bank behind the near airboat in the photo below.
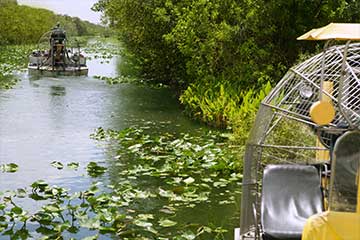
(220, 48)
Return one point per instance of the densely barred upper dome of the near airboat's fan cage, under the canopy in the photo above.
(302, 85)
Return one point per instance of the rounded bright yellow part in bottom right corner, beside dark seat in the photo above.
(331, 225)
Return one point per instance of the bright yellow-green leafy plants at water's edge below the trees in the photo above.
(216, 106)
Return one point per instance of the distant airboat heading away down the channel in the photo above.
(56, 57)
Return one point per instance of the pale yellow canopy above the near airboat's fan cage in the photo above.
(336, 31)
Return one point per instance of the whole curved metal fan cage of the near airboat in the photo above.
(284, 132)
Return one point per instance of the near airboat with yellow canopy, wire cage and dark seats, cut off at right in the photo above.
(301, 175)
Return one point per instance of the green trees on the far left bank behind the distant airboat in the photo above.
(23, 25)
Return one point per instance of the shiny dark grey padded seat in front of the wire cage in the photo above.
(290, 195)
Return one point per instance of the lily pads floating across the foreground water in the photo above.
(162, 177)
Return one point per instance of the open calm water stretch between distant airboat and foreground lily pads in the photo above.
(44, 119)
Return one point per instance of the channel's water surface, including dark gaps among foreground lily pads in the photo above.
(46, 119)
